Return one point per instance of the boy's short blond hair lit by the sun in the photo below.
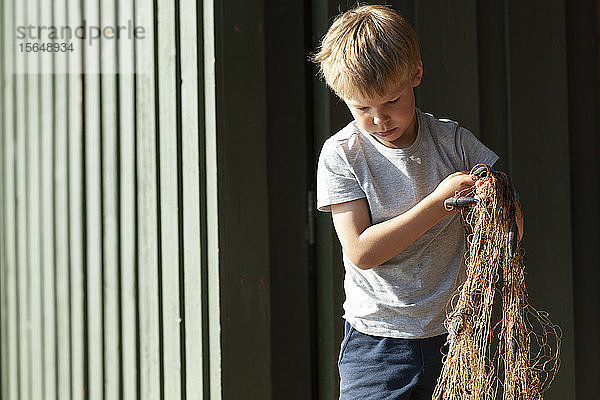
(366, 50)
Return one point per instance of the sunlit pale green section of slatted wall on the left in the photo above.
(104, 239)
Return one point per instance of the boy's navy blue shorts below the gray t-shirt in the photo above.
(378, 368)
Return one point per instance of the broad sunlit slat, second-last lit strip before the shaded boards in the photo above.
(192, 171)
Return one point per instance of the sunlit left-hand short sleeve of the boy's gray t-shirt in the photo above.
(336, 182)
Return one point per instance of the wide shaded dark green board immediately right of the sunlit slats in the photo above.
(241, 167)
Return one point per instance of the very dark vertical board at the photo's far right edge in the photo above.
(583, 24)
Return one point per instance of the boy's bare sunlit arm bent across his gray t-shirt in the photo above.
(369, 245)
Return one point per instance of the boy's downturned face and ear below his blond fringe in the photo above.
(389, 118)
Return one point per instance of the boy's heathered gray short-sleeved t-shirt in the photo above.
(405, 297)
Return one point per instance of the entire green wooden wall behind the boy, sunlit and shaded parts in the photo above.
(158, 232)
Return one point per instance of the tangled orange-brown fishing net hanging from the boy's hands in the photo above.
(517, 352)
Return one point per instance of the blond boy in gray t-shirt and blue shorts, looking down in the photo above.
(384, 177)
